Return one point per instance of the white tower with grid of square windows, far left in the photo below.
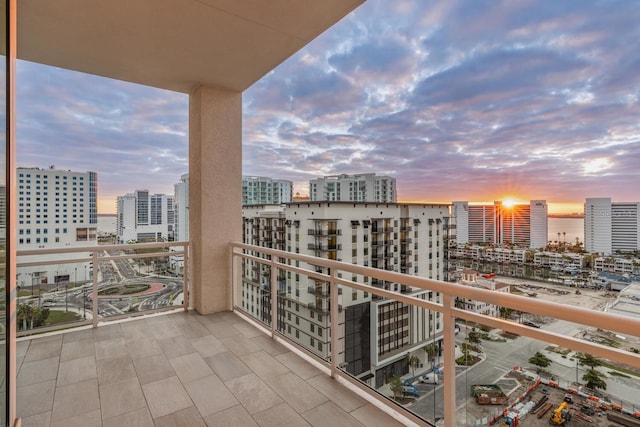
(56, 209)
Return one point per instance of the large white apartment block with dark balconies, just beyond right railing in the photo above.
(378, 333)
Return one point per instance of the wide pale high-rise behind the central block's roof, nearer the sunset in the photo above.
(366, 187)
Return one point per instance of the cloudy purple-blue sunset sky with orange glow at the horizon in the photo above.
(459, 100)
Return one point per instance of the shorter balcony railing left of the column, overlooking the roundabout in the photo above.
(76, 286)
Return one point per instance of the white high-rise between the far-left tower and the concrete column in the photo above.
(143, 216)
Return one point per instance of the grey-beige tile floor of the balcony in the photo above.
(179, 369)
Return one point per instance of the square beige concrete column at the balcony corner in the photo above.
(215, 194)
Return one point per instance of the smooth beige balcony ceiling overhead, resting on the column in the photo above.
(173, 44)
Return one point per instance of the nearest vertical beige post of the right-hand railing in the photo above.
(449, 342)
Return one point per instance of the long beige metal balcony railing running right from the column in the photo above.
(395, 346)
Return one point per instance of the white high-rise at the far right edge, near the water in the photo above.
(611, 227)
